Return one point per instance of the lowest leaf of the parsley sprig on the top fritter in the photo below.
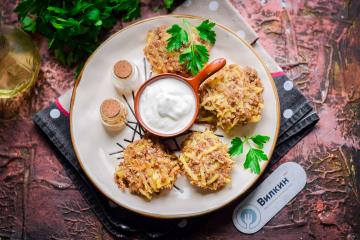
(194, 57)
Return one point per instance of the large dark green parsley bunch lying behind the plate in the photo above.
(74, 28)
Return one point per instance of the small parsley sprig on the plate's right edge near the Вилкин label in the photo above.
(254, 155)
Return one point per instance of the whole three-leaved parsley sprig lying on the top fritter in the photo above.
(195, 55)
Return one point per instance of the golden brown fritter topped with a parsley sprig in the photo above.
(160, 59)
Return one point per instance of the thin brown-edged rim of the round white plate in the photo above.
(162, 216)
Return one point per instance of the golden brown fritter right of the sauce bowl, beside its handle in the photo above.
(233, 96)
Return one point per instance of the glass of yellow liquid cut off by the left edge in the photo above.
(19, 62)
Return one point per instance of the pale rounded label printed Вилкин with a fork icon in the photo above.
(269, 197)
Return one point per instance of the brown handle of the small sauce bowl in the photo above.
(206, 72)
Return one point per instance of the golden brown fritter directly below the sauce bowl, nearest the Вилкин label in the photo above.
(205, 160)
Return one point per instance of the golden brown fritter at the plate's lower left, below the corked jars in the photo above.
(147, 168)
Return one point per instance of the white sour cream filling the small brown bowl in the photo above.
(167, 105)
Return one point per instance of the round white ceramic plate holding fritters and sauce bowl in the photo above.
(98, 150)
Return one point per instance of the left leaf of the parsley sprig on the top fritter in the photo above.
(179, 37)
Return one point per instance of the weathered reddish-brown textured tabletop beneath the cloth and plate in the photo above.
(316, 42)
